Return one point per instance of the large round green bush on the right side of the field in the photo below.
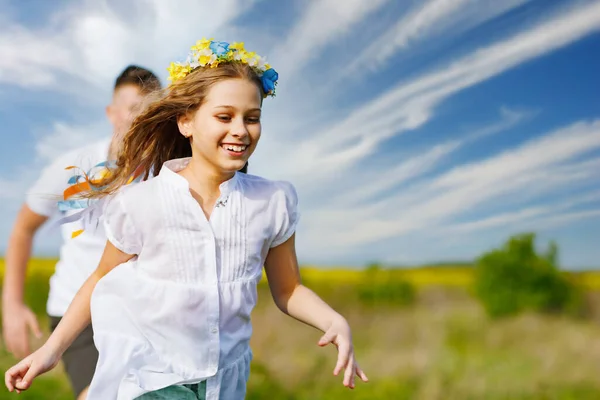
(516, 278)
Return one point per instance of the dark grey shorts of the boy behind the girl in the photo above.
(80, 358)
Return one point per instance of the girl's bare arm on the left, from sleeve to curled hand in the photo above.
(75, 320)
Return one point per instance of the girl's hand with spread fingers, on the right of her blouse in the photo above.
(339, 334)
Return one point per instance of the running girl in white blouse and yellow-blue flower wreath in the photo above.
(170, 301)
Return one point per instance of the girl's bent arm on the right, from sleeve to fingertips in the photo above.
(299, 302)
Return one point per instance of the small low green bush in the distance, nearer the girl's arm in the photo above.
(380, 287)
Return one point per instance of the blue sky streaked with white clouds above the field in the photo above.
(414, 132)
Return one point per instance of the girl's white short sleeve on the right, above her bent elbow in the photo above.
(286, 214)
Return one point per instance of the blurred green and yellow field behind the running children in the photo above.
(441, 347)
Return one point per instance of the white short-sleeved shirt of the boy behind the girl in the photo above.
(79, 256)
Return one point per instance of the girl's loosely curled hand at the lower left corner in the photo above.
(20, 376)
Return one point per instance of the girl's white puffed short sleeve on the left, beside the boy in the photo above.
(119, 227)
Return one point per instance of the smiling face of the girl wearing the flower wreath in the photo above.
(225, 129)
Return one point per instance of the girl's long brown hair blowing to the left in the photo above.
(154, 136)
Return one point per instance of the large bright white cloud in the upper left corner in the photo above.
(90, 42)
